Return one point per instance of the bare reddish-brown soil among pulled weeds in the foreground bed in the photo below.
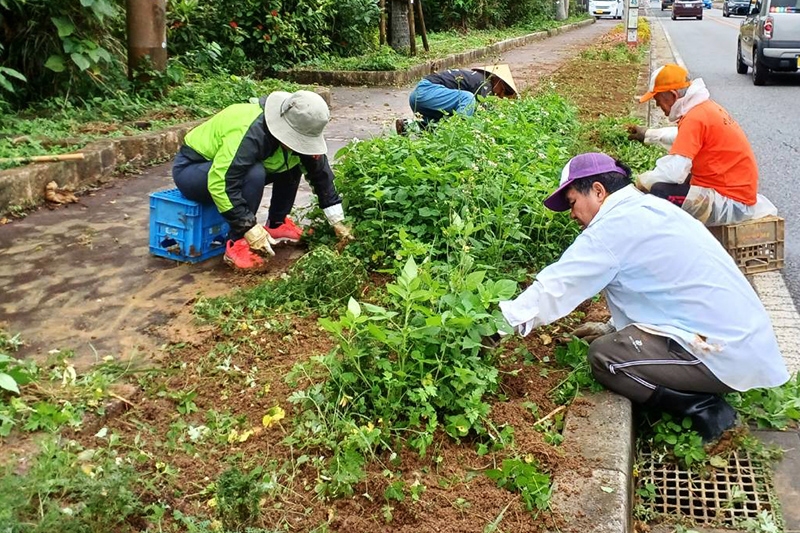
(458, 497)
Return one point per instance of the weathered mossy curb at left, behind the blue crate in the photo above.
(24, 186)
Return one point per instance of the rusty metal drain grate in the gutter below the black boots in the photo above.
(725, 497)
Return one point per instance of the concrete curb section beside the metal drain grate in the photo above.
(600, 429)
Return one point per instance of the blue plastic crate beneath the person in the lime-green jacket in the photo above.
(184, 230)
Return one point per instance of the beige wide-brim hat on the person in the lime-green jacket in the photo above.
(297, 120)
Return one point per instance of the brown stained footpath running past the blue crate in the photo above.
(81, 277)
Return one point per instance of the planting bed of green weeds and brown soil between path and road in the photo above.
(360, 389)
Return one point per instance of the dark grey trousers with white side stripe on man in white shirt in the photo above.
(632, 362)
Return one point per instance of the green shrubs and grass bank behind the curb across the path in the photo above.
(64, 82)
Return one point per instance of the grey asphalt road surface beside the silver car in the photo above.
(769, 115)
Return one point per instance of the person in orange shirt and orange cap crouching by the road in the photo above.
(710, 170)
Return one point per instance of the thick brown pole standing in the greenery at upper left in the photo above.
(147, 34)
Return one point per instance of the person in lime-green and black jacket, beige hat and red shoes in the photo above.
(230, 158)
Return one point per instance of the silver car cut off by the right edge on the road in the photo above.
(769, 39)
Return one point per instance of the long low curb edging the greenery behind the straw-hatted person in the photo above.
(404, 77)
